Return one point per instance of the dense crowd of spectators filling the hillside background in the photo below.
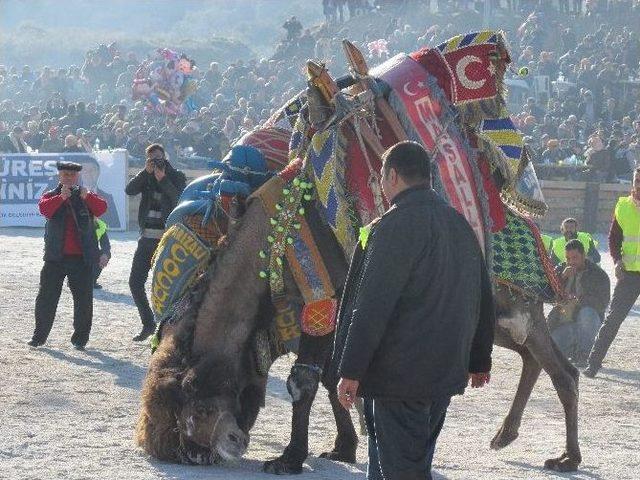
(581, 105)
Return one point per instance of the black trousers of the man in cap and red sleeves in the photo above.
(52, 276)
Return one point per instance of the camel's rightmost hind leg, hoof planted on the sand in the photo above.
(565, 380)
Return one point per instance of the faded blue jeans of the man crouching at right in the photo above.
(575, 339)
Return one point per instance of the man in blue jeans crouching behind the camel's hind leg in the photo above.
(575, 323)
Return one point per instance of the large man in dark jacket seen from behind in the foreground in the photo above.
(416, 319)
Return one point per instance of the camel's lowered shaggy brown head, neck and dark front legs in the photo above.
(201, 395)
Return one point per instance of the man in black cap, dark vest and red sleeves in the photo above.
(70, 250)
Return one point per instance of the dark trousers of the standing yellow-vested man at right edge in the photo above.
(625, 294)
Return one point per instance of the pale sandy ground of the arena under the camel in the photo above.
(69, 414)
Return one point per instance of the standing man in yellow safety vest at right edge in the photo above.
(624, 246)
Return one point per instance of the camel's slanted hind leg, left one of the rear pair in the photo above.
(508, 432)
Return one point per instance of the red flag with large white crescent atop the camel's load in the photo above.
(473, 73)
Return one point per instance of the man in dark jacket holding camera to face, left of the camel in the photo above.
(160, 185)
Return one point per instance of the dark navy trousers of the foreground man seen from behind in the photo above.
(402, 437)
